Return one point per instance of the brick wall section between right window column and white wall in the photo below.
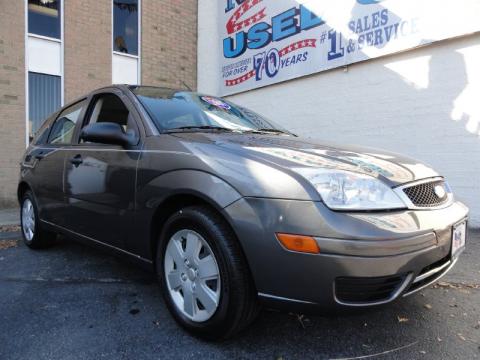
(169, 43)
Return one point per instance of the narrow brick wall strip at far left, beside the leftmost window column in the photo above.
(12, 97)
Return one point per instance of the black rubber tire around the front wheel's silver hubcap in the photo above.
(192, 219)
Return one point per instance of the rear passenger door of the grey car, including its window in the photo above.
(47, 163)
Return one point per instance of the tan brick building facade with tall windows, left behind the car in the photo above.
(53, 51)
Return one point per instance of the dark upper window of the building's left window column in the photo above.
(44, 18)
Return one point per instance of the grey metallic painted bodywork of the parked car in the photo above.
(113, 196)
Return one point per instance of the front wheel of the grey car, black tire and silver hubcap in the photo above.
(232, 304)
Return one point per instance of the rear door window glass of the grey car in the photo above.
(64, 126)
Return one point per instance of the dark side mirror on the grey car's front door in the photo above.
(106, 133)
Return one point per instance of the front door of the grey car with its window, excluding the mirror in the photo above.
(100, 179)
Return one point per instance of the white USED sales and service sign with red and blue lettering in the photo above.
(264, 42)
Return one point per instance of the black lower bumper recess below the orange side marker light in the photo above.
(357, 290)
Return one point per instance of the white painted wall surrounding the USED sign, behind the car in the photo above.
(424, 103)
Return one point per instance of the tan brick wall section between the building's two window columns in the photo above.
(88, 46)
